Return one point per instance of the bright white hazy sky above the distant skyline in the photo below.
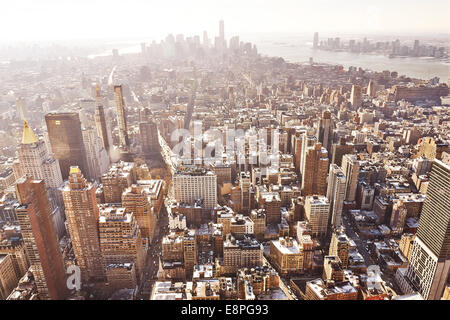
(89, 19)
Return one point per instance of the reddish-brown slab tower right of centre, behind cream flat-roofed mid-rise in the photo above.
(314, 178)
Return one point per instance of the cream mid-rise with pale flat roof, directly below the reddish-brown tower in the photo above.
(317, 210)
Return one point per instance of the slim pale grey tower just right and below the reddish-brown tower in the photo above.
(336, 194)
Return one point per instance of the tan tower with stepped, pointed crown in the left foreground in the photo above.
(82, 220)
